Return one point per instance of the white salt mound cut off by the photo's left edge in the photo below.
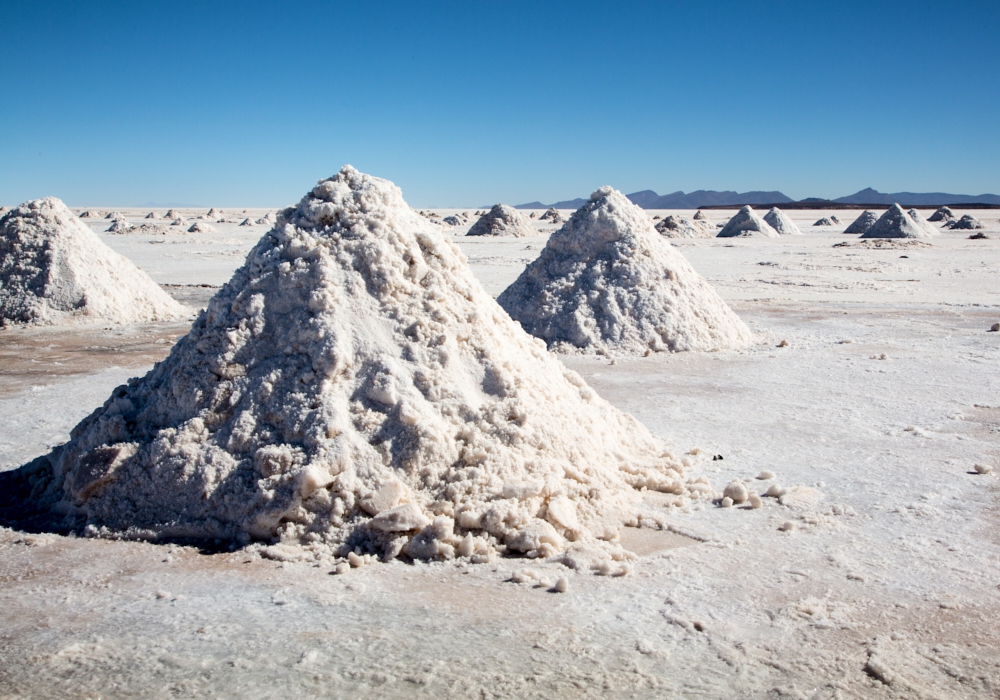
(54, 269)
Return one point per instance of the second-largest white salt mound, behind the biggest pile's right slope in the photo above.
(608, 282)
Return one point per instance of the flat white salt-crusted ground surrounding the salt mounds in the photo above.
(888, 587)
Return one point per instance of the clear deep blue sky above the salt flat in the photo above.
(468, 103)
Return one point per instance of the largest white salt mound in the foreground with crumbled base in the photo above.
(353, 385)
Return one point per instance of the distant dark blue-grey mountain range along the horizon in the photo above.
(647, 199)
